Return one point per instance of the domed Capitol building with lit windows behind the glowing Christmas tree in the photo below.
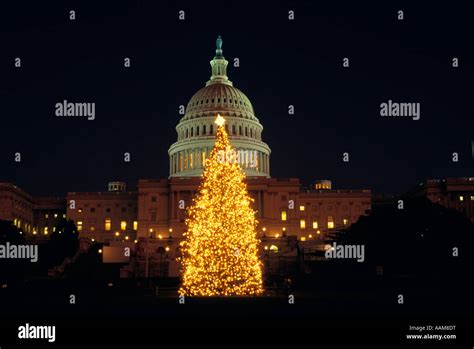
(151, 219)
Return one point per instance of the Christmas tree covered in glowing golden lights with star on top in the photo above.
(220, 250)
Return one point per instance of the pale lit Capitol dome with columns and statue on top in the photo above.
(196, 129)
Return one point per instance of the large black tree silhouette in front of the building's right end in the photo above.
(420, 239)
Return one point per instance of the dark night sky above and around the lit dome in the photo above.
(282, 62)
